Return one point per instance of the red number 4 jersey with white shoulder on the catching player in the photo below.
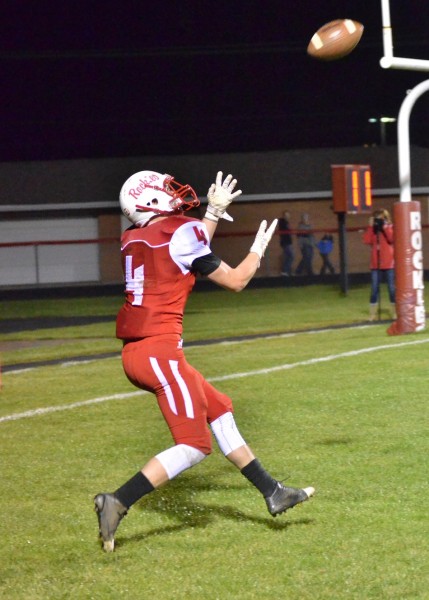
(157, 265)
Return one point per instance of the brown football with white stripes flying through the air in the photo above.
(335, 39)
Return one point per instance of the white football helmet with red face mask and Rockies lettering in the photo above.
(148, 194)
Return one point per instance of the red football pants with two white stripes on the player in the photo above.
(187, 401)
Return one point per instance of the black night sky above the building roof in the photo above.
(119, 78)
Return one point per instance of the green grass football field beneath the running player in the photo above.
(343, 409)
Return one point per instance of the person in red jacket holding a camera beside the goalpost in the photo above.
(379, 235)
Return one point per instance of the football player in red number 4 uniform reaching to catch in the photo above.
(162, 252)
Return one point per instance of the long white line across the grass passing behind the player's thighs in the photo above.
(302, 363)
